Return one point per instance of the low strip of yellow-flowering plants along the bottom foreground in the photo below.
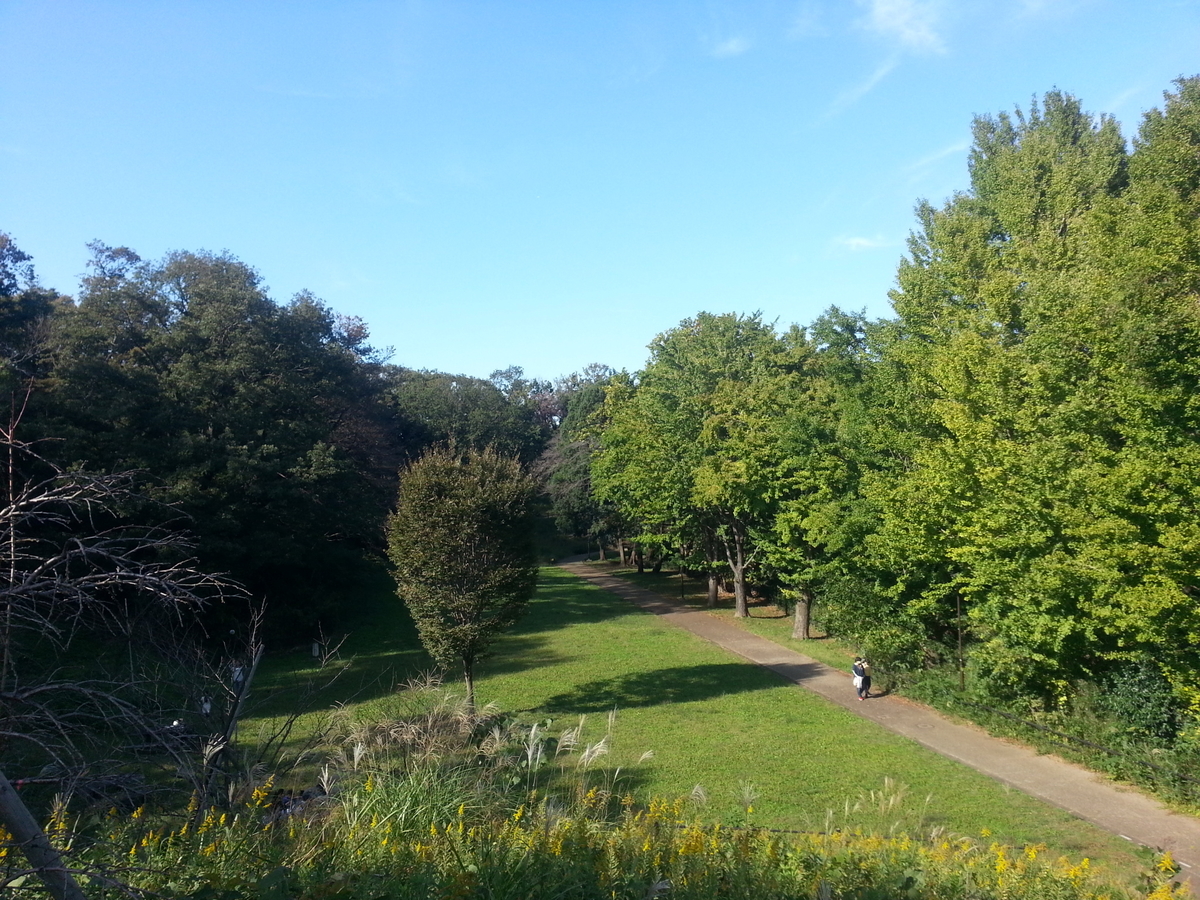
(658, 851)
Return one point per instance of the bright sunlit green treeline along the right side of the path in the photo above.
(1004, 477)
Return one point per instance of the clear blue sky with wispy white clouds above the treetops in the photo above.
(537, 184)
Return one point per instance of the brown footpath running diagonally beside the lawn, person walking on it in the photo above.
(1127, 813)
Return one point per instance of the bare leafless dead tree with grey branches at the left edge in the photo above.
(73, 567)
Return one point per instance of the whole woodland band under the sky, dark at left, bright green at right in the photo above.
(1001, 479)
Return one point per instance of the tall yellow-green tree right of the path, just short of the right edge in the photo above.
(1000, 398)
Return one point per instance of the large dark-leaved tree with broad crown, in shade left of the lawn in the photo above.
(263, 423)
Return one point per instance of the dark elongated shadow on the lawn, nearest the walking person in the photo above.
(681, 685)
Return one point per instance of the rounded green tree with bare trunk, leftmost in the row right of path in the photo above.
(685, 451)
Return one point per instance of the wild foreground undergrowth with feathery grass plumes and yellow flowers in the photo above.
(441, 802)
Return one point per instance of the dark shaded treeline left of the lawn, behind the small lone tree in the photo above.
(272, 434)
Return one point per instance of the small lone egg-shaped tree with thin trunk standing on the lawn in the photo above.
(461, 542)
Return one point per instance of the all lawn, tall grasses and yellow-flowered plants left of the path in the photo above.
(377, 813)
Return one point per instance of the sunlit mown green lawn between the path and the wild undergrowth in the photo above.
(711, 721)
